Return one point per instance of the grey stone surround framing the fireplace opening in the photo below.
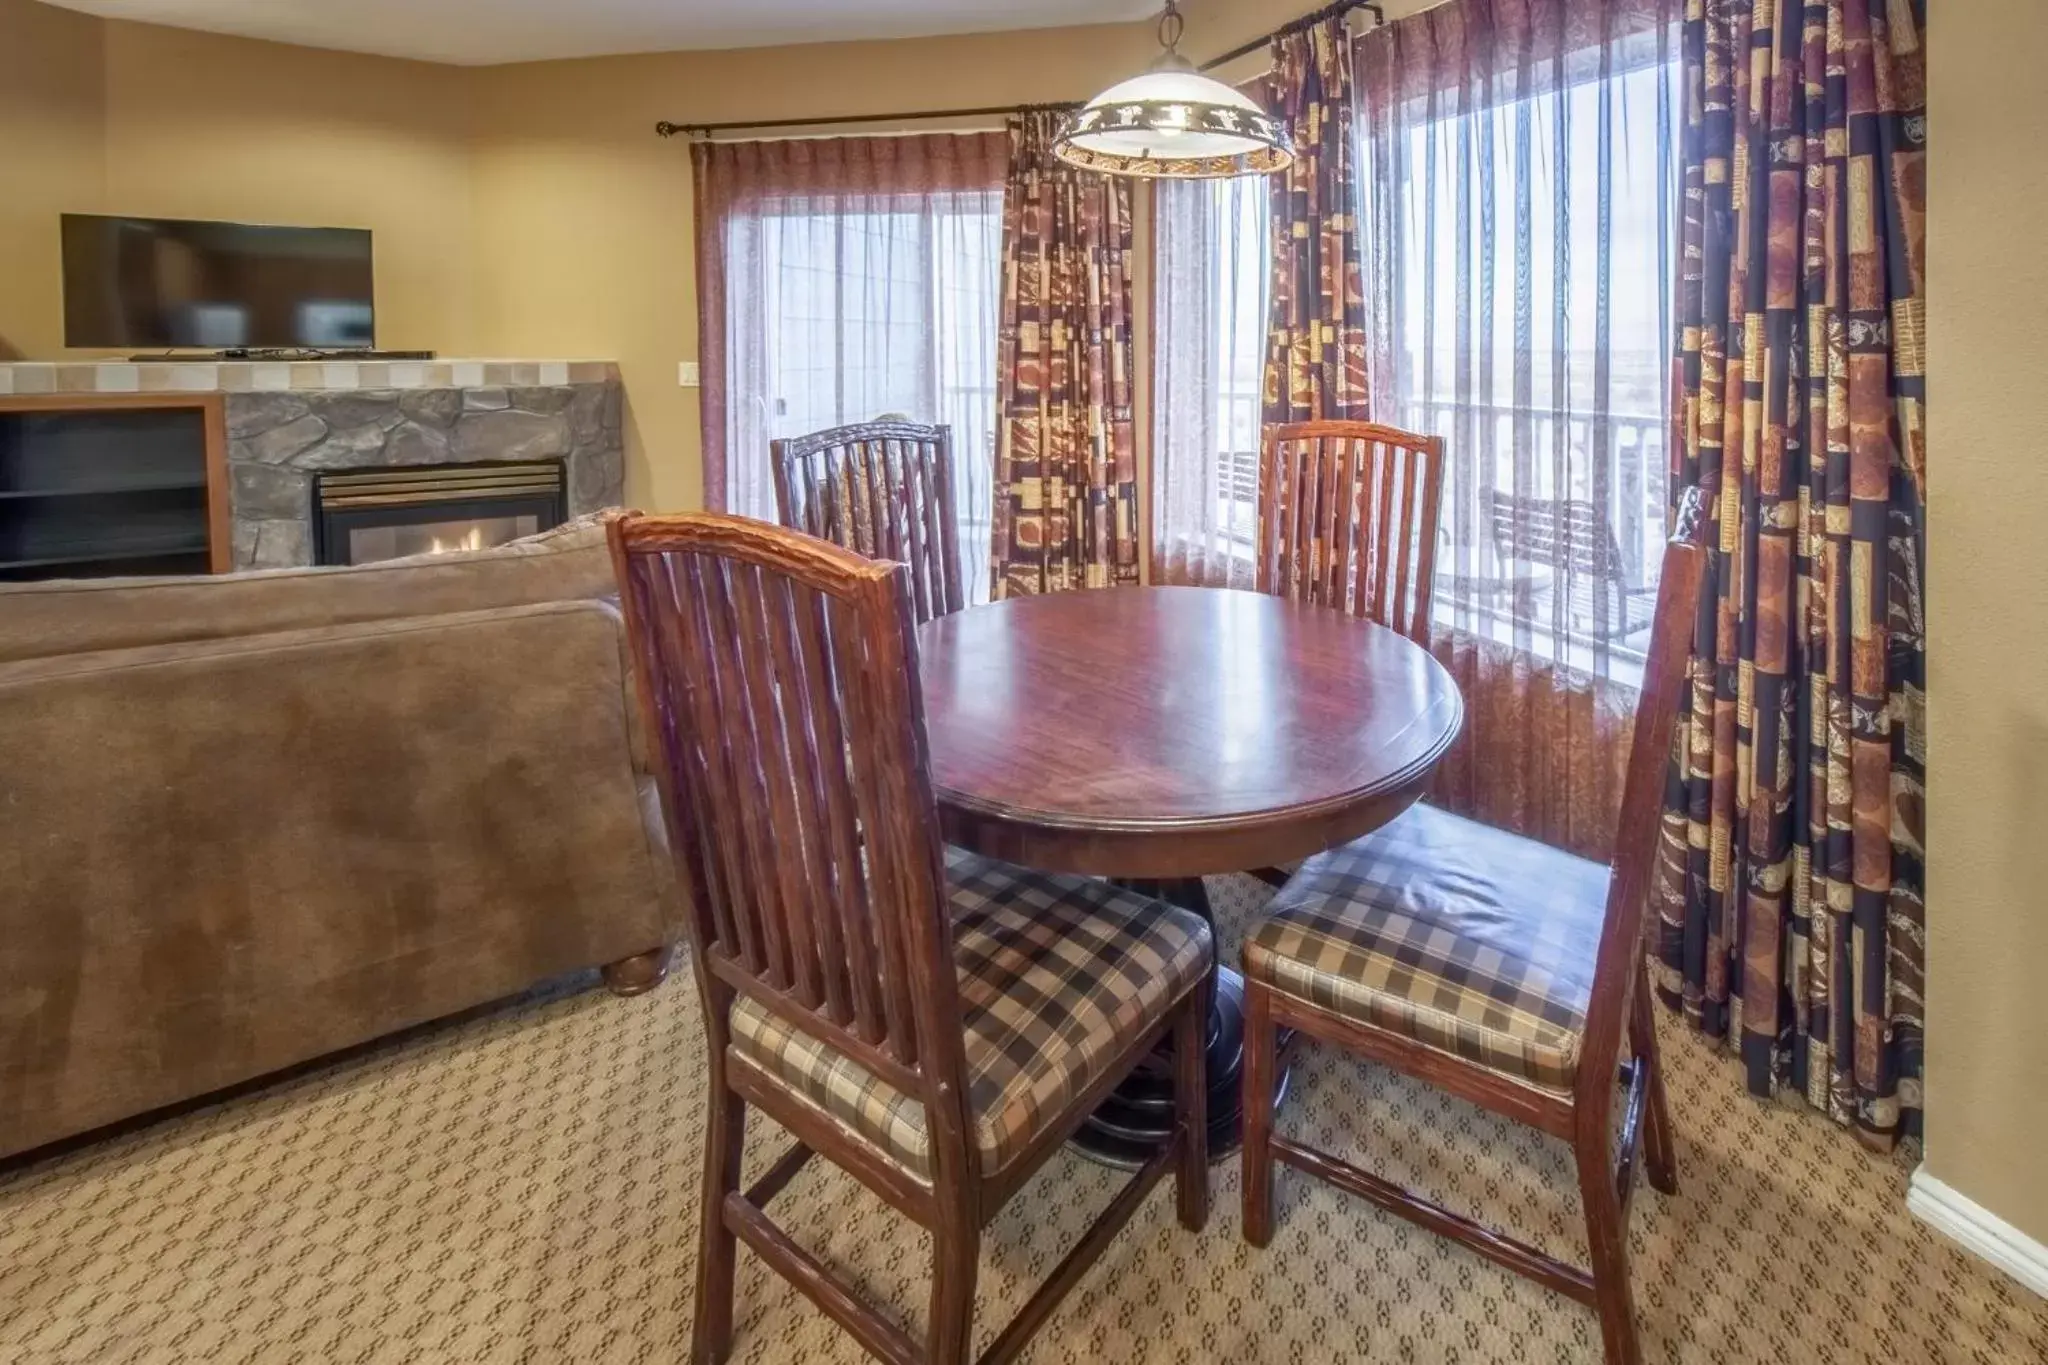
(278, 443)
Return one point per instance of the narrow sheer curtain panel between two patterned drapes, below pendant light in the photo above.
(1209, 355)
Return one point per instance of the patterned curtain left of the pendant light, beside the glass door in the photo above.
(1066, 466)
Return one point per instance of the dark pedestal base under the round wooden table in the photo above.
(1138, 1118)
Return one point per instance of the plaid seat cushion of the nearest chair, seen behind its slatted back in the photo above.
(1058, 973)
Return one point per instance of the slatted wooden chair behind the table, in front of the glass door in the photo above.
(882, 490)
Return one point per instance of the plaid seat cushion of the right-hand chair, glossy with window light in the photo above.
(1459, 936)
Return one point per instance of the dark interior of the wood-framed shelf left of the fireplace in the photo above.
(97, 492)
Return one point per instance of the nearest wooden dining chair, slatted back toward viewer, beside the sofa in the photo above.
(933, 1022)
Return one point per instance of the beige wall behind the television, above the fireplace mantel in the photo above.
(120, 118)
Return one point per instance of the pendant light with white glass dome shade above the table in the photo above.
(1175, 124)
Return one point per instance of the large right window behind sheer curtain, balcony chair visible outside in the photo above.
(1523, 283)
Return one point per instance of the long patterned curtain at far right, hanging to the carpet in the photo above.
(1793, 916)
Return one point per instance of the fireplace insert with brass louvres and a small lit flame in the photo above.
(441, 511)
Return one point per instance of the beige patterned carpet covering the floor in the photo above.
(523, 1188)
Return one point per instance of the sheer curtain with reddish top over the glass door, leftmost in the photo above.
(853, 279)
